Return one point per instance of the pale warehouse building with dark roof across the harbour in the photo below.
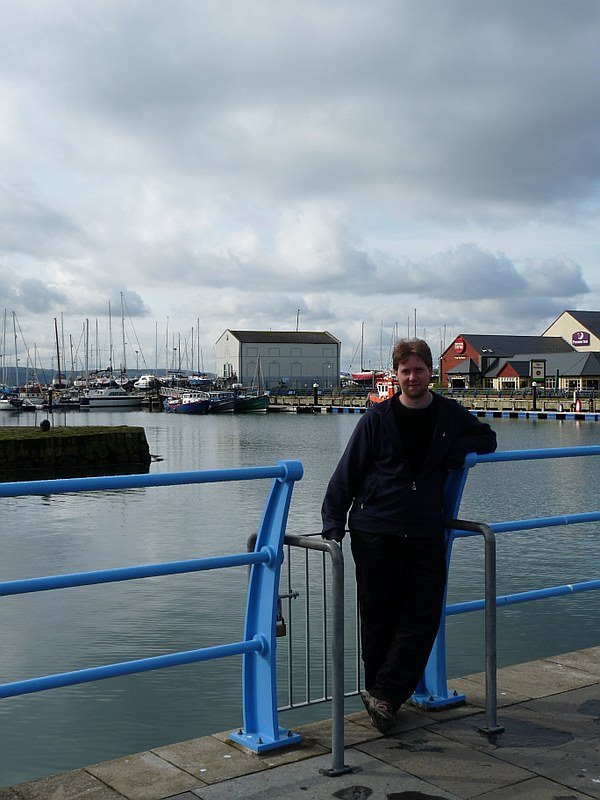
(297, 359)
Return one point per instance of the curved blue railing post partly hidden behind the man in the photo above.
(432, 691)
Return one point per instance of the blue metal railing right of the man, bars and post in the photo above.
(433, 691)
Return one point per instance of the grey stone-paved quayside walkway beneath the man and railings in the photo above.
(550, 750)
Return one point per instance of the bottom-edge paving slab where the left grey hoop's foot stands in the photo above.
(374, 780)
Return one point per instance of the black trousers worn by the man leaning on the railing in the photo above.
(401, 583)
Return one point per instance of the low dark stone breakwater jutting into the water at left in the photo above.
(27, 451)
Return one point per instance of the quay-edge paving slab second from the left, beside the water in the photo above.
(144, 776)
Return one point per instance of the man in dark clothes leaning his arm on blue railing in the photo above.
(391, 479)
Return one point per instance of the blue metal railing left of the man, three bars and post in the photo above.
(261, 730)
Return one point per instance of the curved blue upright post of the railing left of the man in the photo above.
(261, 729)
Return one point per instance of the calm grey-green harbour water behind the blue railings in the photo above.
(43, 633)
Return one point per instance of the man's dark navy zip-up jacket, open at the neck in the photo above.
(374, 480)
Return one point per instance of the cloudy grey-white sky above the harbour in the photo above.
(370, 168)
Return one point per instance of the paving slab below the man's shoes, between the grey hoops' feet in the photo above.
(446, 764)
